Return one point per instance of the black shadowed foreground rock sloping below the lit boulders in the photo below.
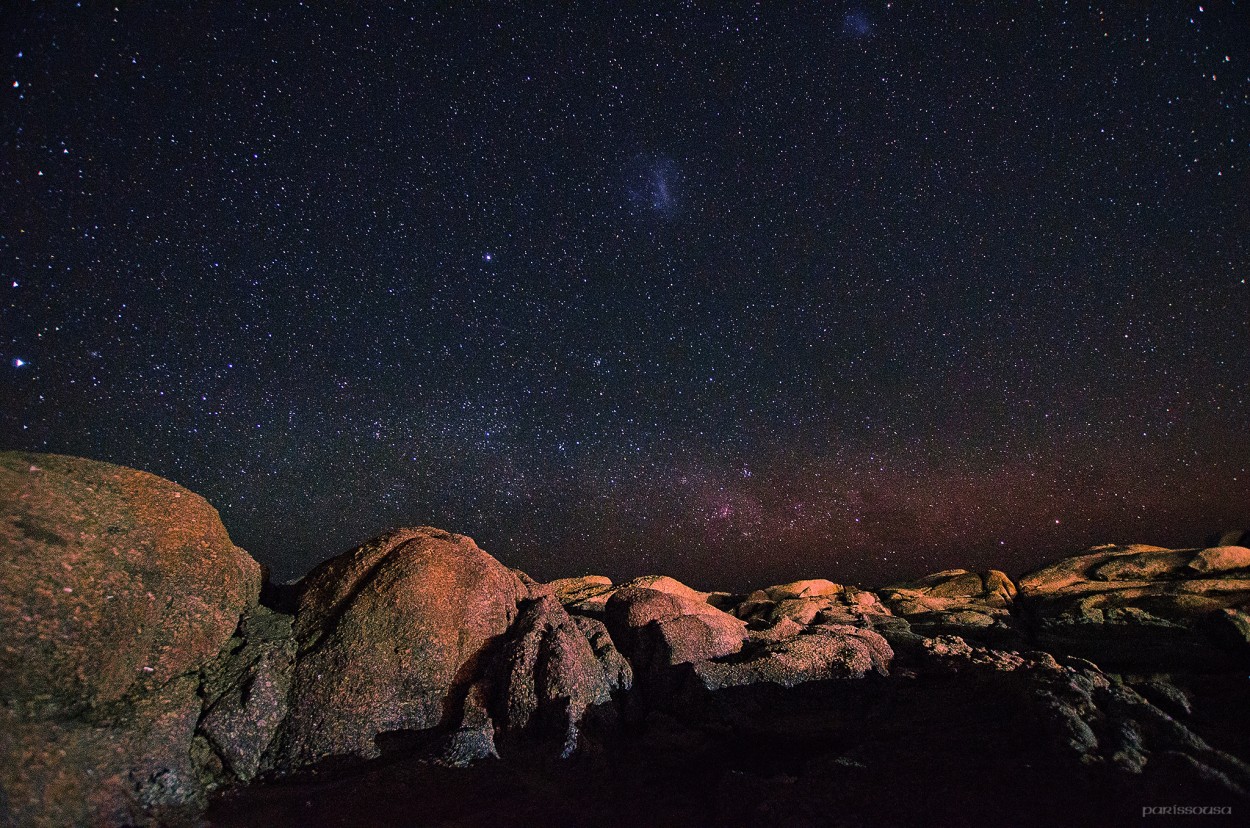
(963, 737)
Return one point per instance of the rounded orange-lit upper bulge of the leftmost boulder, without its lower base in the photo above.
(112, 581)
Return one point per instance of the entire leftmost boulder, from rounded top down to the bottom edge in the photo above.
(117, 588)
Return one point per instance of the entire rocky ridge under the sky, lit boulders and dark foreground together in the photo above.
(141, 674)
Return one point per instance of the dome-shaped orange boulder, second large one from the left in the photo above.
(392, 637)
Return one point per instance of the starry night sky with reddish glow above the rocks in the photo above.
(856, 292)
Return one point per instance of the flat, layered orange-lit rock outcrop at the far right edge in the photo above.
(1142, 607)
